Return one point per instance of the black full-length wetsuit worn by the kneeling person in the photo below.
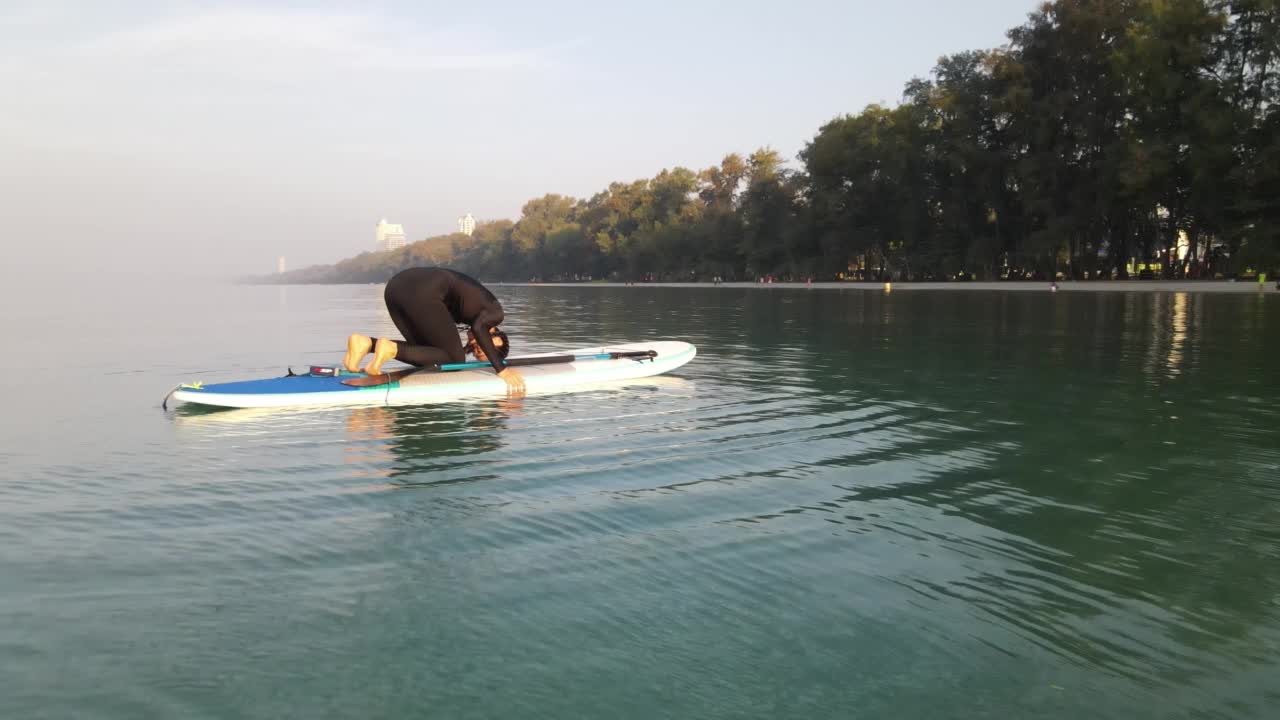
(428, 304)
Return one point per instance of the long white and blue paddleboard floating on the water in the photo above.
(436, 386)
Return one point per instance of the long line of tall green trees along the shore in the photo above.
(1108, 139)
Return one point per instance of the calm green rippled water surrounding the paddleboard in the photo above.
(852, 505)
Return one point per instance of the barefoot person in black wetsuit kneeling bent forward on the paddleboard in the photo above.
(427, 306)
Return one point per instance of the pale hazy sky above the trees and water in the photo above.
(212, 138)
